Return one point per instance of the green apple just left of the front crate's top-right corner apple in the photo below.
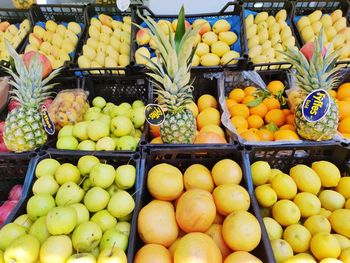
(102, 175)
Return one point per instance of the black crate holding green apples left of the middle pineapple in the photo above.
(116, 89)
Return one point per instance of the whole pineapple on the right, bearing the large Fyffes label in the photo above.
(317, 73)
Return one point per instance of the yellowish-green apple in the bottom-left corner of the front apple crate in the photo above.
(24, 249)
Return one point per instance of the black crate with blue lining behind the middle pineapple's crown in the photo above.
(231, 11)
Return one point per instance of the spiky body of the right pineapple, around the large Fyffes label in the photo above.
(323, 129)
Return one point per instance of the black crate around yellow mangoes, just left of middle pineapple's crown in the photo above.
(93, 10)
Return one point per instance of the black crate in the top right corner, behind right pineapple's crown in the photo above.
(306, 7)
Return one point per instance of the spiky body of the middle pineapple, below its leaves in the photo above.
(179, 127)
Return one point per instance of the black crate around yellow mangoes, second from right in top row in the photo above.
(271, 7)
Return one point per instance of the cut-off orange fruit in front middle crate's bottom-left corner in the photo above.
(153, 253)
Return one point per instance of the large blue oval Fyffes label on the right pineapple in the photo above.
(316, 105)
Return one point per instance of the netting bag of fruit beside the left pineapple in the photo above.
(68, 107)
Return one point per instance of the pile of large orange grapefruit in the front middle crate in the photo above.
(200, 215)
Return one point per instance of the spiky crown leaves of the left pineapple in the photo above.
(29, 87)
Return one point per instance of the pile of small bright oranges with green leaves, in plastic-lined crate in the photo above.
(254, 123)
